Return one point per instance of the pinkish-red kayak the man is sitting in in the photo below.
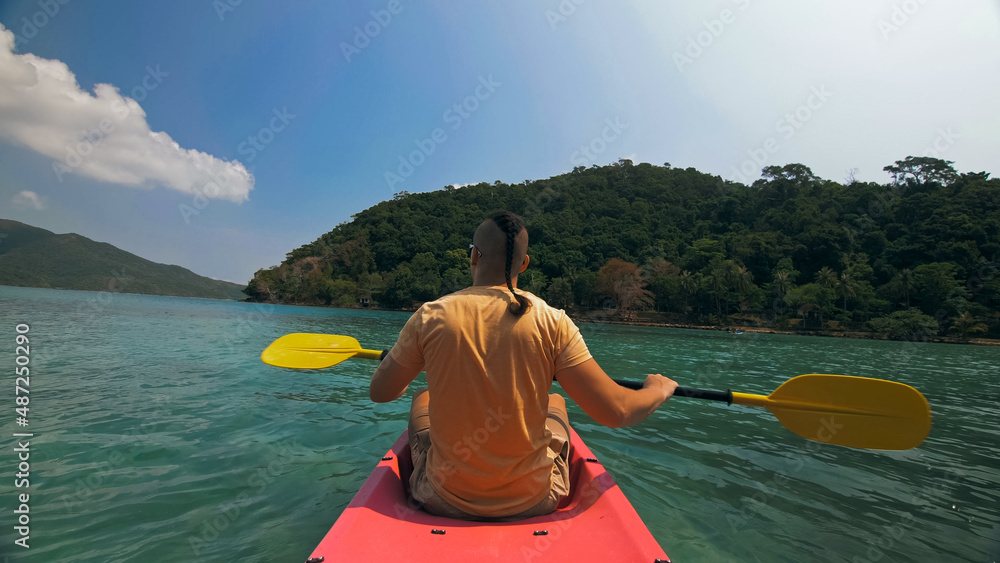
(594, 523)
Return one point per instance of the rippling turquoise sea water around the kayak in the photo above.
(160, 436)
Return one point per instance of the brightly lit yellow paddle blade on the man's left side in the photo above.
(310, 351)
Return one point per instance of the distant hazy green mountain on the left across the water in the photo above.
(33, 257)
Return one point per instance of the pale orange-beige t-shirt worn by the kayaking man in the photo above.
(489, 375)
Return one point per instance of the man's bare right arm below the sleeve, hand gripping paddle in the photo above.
(609, 403)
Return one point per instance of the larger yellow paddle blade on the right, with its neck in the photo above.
(857, 412)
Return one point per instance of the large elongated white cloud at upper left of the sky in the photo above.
(102, 136)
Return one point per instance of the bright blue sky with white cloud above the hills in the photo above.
(237, 133)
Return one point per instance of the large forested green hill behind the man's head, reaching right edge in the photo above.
(917, 255)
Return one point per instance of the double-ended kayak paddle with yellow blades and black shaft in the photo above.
(857, 412)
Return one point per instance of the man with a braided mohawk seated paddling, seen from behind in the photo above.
(488, 440)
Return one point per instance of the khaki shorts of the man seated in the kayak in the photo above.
(420, 442)
